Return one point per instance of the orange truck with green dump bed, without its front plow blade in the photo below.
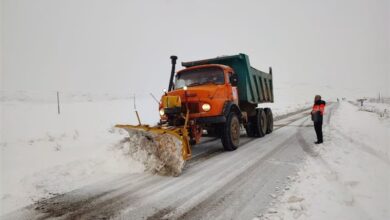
(219, 95)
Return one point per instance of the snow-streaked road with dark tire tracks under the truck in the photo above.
(214, 185)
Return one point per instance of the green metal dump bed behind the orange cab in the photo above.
(254, 86)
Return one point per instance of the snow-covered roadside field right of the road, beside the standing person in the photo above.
(347, 177)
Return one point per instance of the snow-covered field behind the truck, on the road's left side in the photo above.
(44, 153)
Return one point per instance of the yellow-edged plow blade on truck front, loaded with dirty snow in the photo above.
(162, 150)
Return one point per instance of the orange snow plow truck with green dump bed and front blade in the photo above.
(213, 97)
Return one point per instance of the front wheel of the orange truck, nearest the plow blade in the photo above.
(231, 132)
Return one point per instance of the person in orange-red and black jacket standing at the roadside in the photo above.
(317, 115)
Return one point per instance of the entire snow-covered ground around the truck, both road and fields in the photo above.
(285, 176)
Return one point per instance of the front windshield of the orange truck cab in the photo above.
(199, 76)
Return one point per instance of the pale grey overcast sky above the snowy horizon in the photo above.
(334, 47)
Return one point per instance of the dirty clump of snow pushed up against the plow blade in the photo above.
(159, 153)
